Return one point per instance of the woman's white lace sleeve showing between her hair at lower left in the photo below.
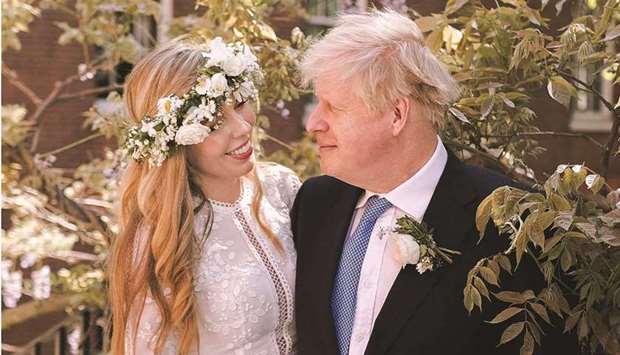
(140, 333)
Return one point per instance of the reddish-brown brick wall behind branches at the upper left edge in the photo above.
(40, 63)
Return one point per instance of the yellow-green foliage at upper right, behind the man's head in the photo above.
(503, 55)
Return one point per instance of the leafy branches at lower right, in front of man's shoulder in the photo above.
(573, 235)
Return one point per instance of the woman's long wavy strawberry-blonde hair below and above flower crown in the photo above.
(156, 246)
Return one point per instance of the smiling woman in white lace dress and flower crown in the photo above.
(204, 262)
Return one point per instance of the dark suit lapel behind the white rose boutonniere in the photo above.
(451, 221)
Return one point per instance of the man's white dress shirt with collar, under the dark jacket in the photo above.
(379, 269)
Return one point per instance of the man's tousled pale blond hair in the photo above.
(384, 55)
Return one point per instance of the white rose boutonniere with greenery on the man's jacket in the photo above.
(415, 245)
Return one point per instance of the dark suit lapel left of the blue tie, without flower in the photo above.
(327, 248)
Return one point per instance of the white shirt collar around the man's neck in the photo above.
(421, 185)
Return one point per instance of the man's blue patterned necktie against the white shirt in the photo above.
(344, 295)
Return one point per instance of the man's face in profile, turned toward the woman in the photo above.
(351, 139)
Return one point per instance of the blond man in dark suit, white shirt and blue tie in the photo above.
(381, 98)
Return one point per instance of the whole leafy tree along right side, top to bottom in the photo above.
(568, 224)
